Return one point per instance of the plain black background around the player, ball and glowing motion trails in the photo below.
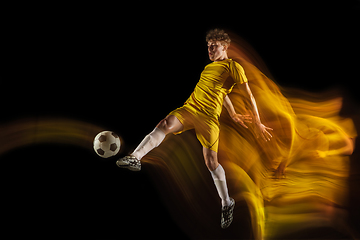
(124, 67)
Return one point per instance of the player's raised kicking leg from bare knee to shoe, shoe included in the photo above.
(168, 125)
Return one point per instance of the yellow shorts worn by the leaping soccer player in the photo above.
(206, 127)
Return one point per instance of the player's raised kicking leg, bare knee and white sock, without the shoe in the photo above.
(168, 125)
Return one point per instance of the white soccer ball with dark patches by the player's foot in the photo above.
(107, 144)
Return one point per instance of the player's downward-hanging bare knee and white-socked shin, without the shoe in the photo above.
(218, 175)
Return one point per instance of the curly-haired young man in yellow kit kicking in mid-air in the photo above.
(201, 112)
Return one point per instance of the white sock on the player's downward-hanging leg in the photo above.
(220, 182)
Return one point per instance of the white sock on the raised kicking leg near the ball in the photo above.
(151, 141)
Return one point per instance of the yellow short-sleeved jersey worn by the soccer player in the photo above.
(216, 81)
